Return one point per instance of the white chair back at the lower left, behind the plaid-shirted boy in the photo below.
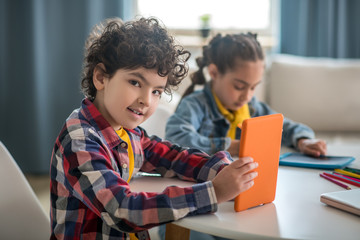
(21, 215)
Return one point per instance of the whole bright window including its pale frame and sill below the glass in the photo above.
(182, 18)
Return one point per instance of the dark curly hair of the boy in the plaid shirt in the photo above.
(134, 44)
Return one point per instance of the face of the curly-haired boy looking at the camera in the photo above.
(129, 97)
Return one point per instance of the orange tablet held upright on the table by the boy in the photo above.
(261, 140)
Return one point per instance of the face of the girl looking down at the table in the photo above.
(236, 87)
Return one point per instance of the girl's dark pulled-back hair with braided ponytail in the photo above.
(224, 51)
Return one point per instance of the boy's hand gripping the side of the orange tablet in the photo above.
(234, 179)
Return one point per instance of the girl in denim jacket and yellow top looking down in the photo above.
(208, 119)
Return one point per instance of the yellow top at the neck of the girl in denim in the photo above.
(235, 118)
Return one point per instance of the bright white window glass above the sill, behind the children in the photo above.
(226, 15)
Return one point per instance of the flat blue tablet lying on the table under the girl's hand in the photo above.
(325, 162)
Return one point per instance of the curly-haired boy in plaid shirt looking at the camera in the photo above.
(101, 146)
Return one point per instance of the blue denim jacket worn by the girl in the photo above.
(198, 123)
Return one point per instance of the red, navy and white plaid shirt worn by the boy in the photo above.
(90, 198)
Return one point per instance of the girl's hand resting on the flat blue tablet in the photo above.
(314, 147)
